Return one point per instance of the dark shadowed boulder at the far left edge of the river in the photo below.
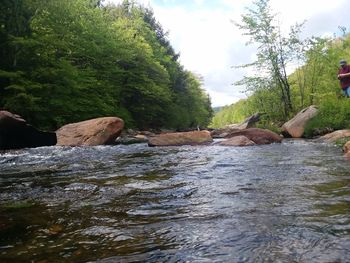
(16, 133)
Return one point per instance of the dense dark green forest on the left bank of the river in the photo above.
(69, 60)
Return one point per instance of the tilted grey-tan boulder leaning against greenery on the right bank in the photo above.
(296, 126)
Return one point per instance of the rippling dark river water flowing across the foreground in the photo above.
(286, 202)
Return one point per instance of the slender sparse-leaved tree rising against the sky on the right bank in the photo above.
(275, 52)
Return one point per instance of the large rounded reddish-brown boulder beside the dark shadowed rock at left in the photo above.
(92, 132)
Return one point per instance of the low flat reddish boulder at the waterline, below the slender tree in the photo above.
(259, 136)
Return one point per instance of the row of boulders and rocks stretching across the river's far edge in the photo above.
(16, 133)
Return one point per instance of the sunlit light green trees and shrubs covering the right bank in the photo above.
(277, 94)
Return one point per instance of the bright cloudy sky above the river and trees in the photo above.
(211, 46)
